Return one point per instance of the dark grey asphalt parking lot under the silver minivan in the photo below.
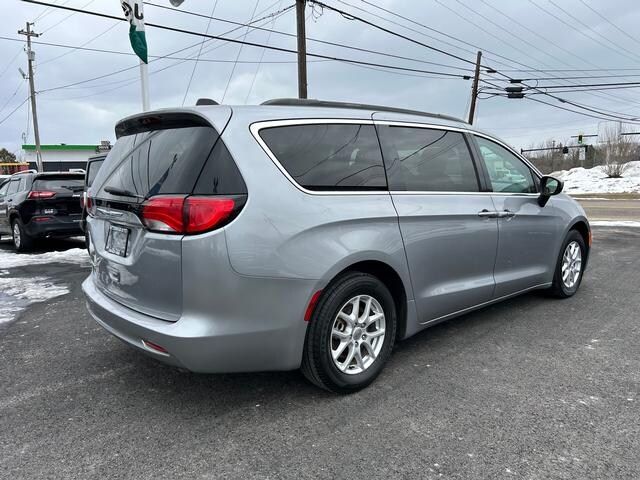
(530, 388)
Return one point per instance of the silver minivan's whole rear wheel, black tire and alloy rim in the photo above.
(351, 334)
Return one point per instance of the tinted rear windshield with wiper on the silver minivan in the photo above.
(154, 162)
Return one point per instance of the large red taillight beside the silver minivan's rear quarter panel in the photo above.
(189, 215)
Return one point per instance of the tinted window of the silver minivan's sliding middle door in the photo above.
(421, 159)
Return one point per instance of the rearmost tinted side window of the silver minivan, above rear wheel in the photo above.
(329, 156)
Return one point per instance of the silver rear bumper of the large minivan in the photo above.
(204, 344)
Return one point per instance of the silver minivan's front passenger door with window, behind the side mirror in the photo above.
(526, 230)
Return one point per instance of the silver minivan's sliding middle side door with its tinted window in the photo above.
(449, 232)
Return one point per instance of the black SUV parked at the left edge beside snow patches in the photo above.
(40, 205)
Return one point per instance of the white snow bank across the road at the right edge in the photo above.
(594, 180)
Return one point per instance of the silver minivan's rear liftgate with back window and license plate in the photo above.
(154, 156)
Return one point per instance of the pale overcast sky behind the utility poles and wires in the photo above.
(86, 113)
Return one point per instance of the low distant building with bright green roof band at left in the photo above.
(63, 157)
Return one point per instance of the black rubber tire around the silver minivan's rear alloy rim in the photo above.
(317, 361)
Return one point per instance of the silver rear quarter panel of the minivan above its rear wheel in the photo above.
(286, 233)
